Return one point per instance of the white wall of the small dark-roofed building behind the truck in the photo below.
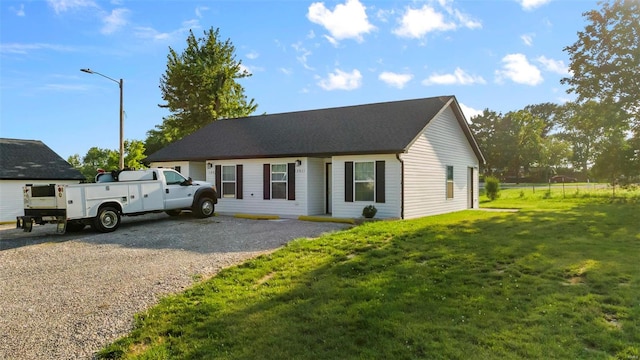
(11, 200)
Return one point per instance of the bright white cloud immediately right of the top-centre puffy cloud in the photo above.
(415, 23)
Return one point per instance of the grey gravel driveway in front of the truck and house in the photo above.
(66, 296)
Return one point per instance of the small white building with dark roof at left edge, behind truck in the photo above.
(28, 162)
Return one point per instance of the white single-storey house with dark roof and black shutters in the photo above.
(408, 158)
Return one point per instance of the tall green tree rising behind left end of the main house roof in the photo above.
(199, 87)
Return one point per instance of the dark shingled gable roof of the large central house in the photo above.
(379, 128)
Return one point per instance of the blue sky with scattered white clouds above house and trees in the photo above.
(500, 55)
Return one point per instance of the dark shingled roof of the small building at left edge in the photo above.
(33, 160)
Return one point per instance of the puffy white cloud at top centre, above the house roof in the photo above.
(346, 21)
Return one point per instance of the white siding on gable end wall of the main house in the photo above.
(425, 164)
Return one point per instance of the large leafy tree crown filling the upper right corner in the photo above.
(605, 60)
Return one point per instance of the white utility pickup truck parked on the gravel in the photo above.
(126, 192)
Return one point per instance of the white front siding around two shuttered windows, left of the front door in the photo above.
(252, 201)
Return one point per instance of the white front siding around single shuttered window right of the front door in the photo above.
(389, 209)
